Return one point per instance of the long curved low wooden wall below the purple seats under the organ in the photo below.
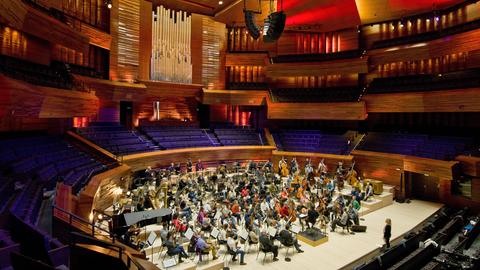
(164, 158)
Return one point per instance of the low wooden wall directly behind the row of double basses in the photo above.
(330, 160)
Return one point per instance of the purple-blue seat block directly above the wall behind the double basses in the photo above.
(311, 141)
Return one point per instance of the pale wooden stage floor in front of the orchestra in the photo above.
(342, 248)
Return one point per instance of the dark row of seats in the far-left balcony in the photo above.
(50, 76)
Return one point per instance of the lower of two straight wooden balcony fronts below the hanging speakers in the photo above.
(318, 111)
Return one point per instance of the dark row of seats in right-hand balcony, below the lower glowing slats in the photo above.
(426, 82)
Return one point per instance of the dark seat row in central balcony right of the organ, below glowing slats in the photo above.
(306, 95)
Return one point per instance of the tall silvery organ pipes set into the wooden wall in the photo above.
(171, 46)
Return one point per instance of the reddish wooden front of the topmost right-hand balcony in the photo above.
(463, 42)
